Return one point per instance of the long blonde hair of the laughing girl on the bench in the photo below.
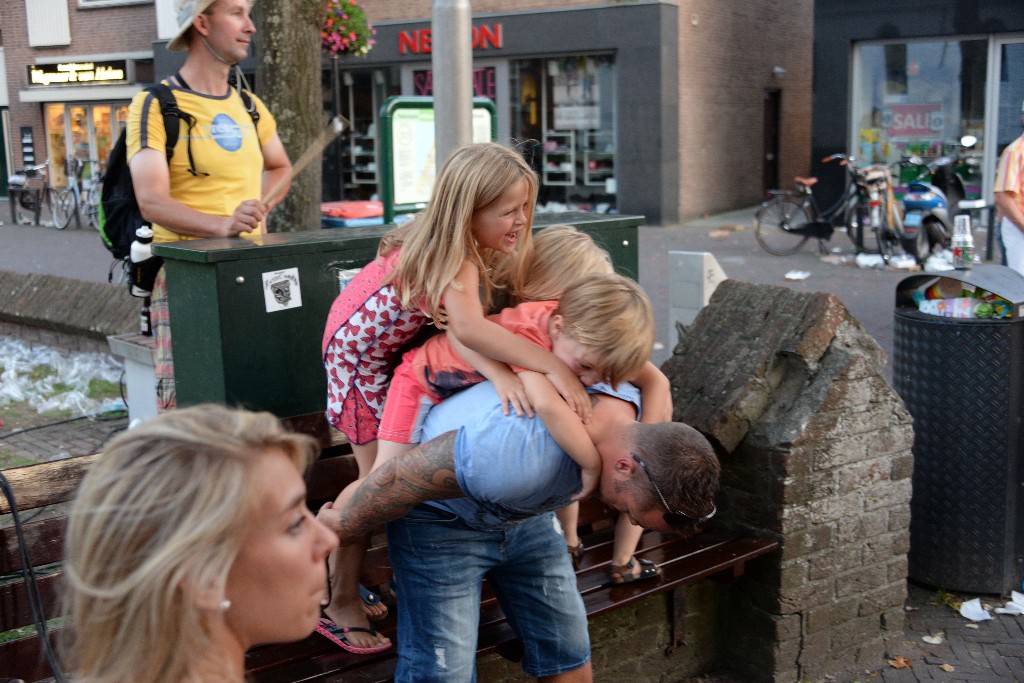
(436, 244)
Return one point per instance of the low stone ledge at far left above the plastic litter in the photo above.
(66, 307)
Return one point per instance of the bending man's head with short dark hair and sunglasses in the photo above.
(668, 480)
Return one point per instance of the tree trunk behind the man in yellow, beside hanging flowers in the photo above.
(288, 80)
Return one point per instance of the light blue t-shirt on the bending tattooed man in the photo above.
(509, 467)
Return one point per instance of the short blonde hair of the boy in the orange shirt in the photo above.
(613, 316)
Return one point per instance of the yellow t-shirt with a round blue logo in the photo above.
(226, 148)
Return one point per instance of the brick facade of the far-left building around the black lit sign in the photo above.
(95, 31)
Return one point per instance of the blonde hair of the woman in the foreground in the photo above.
(159, 519)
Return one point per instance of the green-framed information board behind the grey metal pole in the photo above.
(408, 159)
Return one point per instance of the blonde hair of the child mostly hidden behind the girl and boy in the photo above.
(562, 255)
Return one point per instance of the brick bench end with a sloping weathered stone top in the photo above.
(816, 450)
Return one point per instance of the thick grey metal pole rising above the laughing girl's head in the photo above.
(452, 61)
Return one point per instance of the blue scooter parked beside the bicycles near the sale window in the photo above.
(931, 202)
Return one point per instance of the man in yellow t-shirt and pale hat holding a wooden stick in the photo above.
(223, 163)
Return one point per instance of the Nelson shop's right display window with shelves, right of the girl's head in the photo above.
(564, 113)
